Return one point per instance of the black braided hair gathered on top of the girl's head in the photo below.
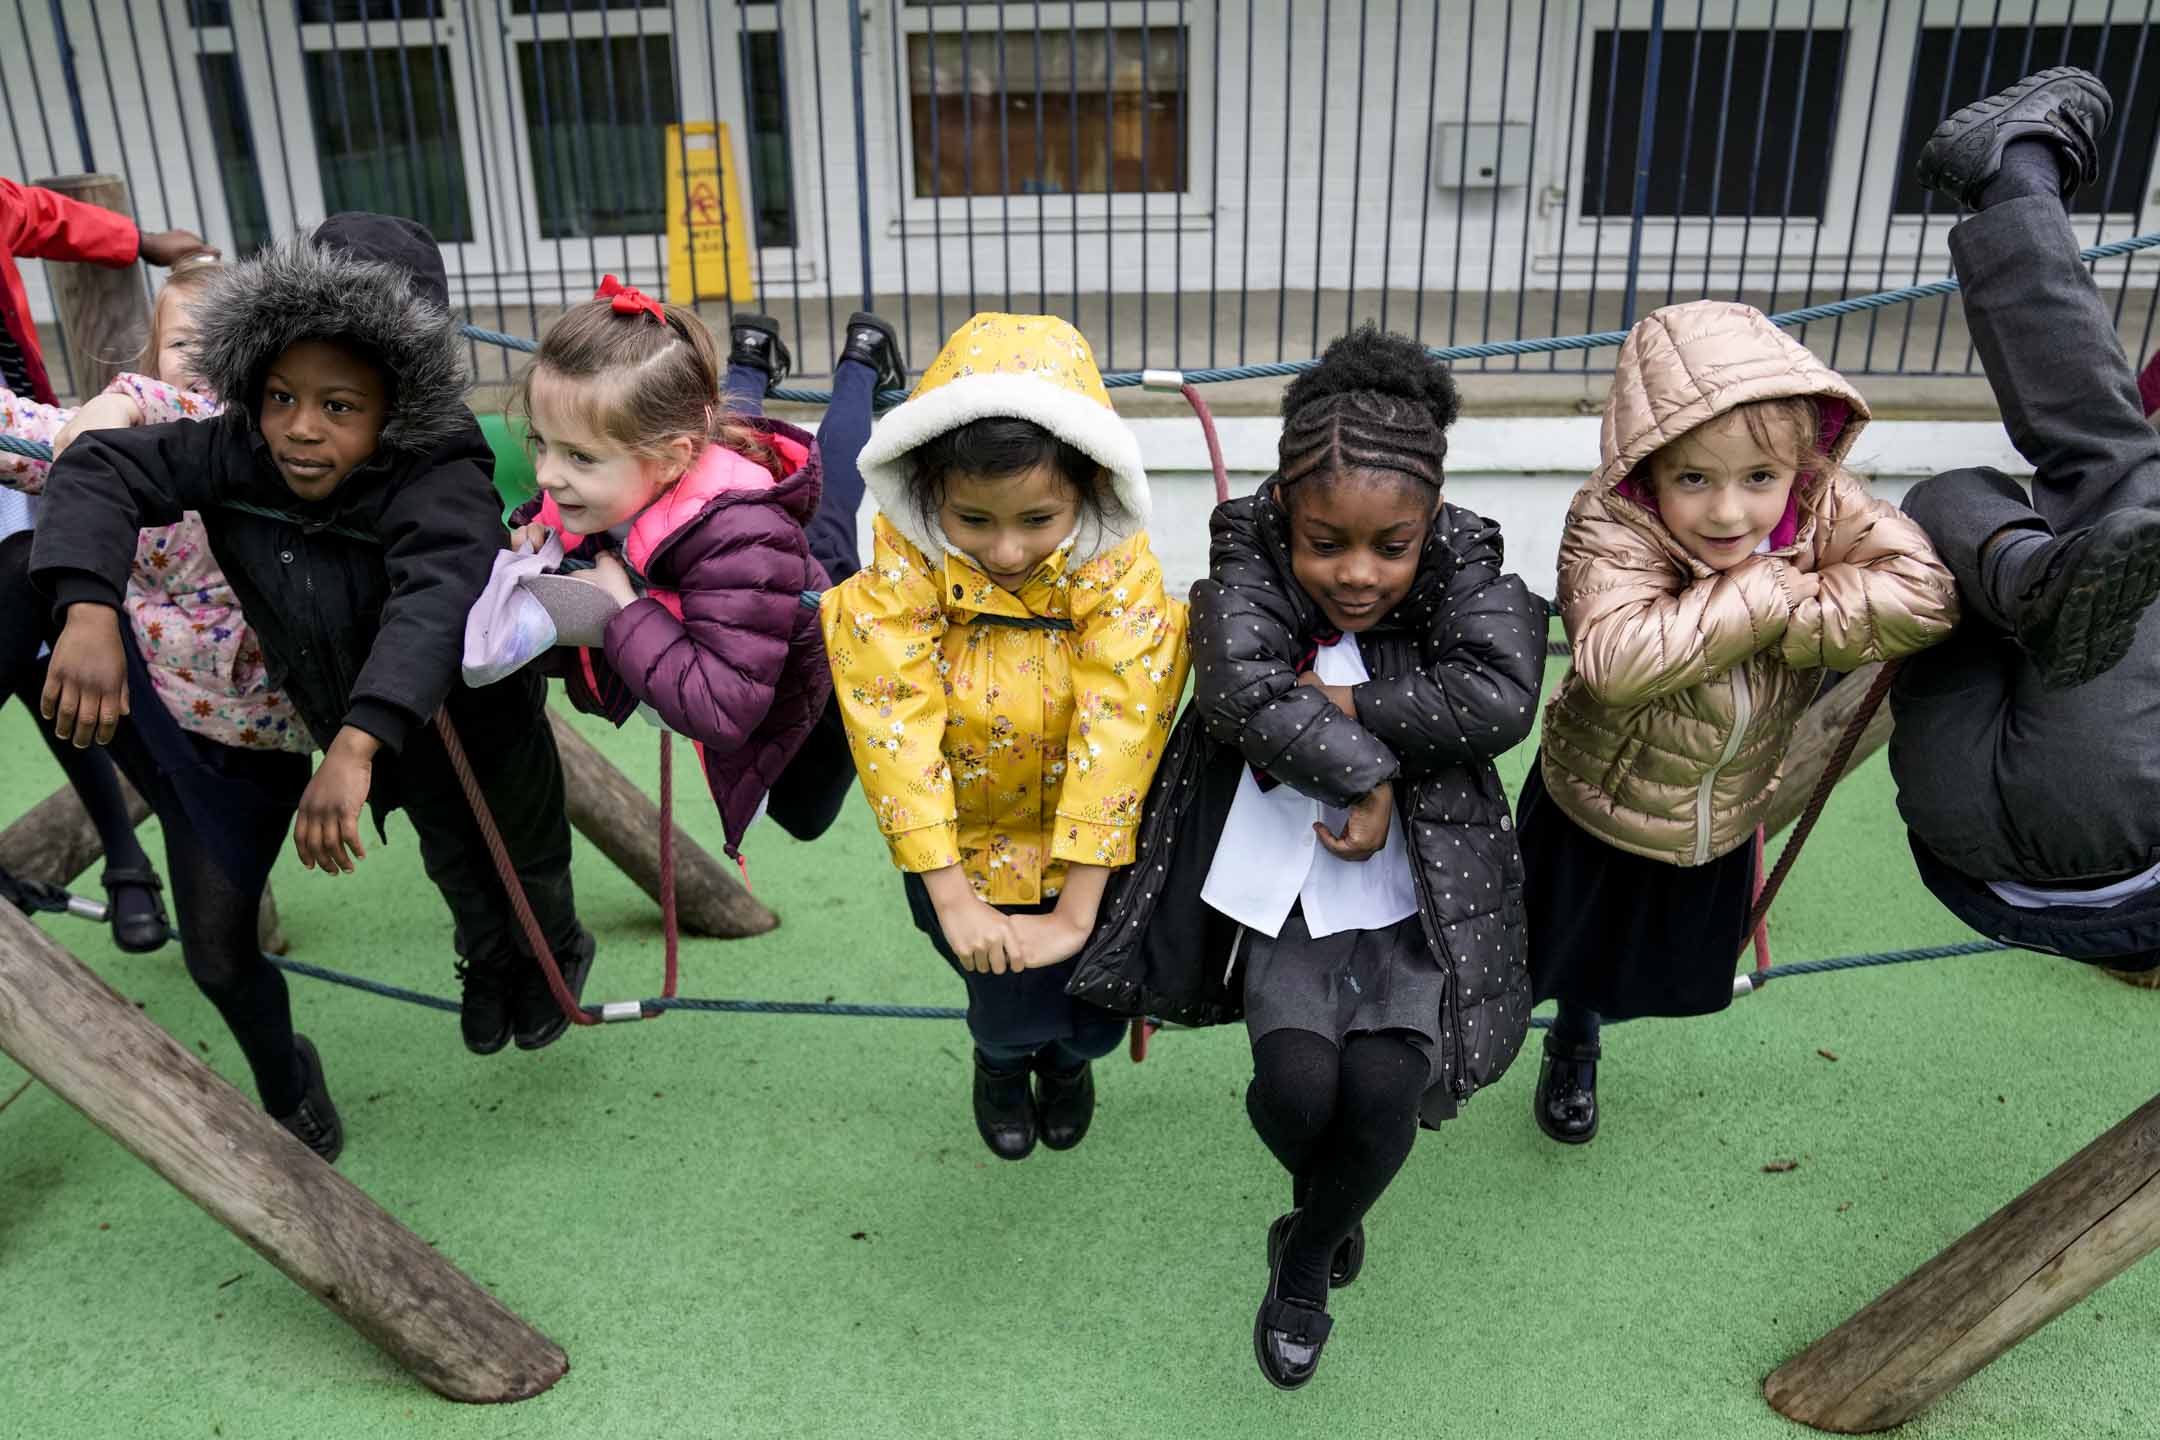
(1375, 403)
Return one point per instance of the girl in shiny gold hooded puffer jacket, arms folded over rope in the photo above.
(1710, 573)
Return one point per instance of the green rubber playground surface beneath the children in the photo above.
(787, 1227)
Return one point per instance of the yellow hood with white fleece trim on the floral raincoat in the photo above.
(1034, 368)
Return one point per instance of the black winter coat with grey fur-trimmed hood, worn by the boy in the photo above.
(360, 601)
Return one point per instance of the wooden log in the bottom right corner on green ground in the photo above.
(2036, 1258)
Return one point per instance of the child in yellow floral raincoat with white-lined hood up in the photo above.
(1010, 668)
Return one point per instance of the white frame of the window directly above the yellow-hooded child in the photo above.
(1157, 210)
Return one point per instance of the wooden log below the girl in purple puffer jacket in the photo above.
(627, 828)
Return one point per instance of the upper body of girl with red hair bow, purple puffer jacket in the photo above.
(694, 526)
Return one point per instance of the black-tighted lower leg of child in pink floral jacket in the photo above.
(219, 940)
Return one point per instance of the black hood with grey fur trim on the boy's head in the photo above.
(370, 282)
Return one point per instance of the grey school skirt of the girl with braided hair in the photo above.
(1347, 983)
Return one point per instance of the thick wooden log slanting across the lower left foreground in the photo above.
(172, 1111)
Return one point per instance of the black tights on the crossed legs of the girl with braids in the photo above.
(1342, 1122)
